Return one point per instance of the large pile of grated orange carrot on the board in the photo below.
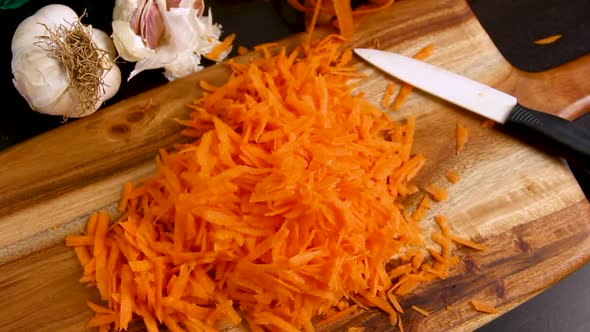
(282, 213)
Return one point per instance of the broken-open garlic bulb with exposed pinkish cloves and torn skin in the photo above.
(169, 34)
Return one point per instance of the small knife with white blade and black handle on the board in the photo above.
(548, 132)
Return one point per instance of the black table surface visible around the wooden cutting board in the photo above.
(563, 307)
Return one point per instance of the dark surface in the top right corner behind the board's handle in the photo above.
(514, 25)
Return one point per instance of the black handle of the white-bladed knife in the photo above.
(551, 133)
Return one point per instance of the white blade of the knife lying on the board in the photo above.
(459, 90)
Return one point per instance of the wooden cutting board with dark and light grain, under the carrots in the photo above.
(525, 205)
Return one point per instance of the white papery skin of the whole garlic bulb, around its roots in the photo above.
(42, 79)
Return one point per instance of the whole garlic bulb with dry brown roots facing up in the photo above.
(62, 67)
